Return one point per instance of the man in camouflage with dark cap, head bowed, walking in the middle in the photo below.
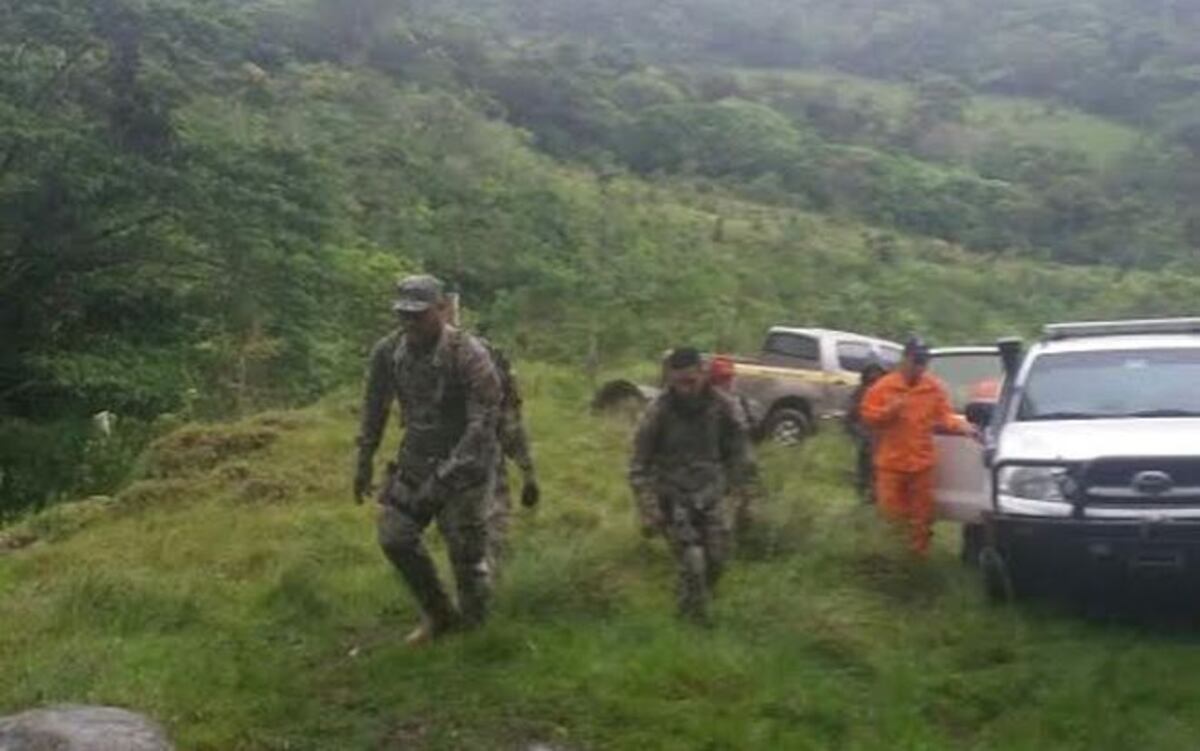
(692, 446)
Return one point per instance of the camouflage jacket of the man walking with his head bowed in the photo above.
(677, 452)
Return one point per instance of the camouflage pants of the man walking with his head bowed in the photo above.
(699, 532)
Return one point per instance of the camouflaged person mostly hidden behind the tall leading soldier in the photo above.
(514, 446)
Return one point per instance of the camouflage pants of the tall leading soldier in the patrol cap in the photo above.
(461, 520)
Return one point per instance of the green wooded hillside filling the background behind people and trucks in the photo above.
(203, 202)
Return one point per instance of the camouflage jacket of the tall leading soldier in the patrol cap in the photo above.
(449, 402)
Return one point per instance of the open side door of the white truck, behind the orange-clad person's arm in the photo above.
(961, 479)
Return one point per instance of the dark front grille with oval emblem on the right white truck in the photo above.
(1145, 483)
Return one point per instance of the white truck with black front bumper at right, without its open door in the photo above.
(1093, 458)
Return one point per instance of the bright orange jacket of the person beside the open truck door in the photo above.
(904, 442)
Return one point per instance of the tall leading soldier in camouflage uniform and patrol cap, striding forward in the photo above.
(449, 398)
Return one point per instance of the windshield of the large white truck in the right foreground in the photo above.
(1089, 386)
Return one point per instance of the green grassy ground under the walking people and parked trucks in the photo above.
(239, 599)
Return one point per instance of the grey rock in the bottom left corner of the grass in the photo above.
(81, 729)
